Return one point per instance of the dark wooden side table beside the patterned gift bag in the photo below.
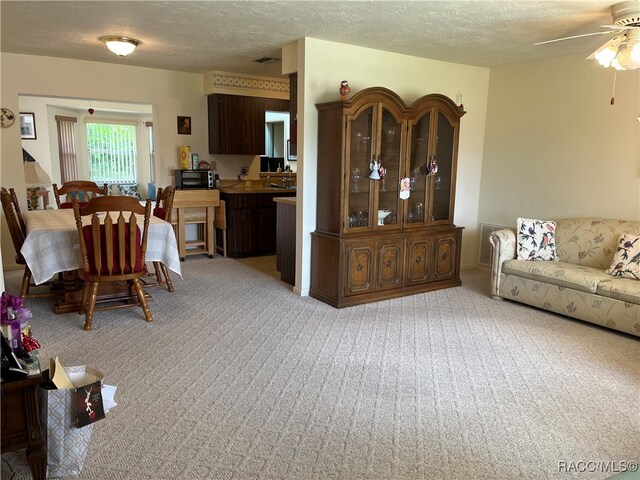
(21, 422)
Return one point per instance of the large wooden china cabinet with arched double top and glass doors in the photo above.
(370, 244)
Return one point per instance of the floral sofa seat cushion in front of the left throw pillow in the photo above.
(561, 274)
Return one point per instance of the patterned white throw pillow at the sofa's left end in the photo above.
(536, 239)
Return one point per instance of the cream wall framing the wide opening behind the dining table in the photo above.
(171, 94)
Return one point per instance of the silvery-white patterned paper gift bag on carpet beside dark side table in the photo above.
(67, 445)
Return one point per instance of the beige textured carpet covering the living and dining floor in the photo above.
(238, 378)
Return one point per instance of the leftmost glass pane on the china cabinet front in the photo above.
(360, 132)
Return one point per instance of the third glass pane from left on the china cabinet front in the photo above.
(417, 203)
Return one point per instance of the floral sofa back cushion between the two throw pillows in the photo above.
(591, 241)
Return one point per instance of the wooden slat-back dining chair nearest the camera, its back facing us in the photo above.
(113, 249)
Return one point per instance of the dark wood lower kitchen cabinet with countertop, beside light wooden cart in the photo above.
(251, 222)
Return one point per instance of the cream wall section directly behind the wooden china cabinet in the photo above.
(326, 64)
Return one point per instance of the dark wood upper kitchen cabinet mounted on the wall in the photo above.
(237, 123)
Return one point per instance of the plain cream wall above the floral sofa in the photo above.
(555, 147)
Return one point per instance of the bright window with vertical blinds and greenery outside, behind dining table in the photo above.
(112, 152)
